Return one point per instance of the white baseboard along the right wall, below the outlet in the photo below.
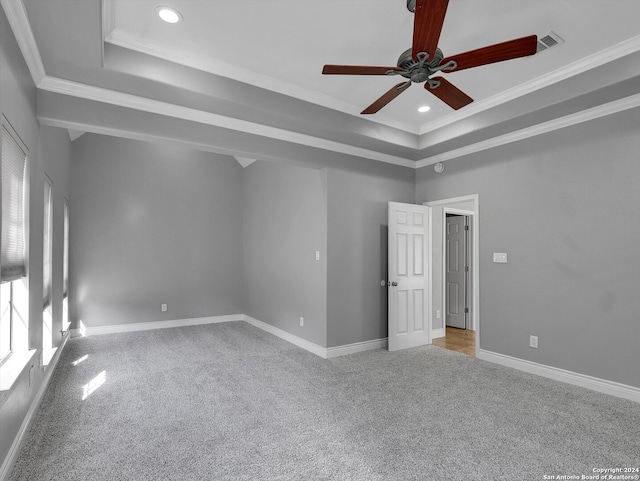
(601, 385)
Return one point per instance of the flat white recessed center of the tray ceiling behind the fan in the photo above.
(281, 45)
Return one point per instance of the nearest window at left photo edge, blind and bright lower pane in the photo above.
(13, 291)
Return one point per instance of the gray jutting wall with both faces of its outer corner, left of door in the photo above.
(290, 212)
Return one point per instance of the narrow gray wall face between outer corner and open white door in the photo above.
(357, 248)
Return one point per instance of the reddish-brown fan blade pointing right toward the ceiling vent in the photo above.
(520, 47)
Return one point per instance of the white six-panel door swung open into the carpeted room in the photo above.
(408, 276)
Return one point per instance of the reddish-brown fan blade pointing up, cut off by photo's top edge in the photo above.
(427, 25)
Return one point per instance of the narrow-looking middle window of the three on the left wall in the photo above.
(47, 261)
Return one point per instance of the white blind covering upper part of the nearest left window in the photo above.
(12, 258)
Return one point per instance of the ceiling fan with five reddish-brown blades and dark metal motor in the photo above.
(424, 58)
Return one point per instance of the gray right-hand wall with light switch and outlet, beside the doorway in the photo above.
(562, 205)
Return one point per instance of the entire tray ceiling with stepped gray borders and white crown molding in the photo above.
(243, 78)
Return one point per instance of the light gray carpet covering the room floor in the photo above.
(231, 402)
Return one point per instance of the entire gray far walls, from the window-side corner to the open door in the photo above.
(248, 239)
